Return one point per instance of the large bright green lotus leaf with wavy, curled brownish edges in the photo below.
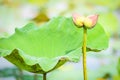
(47, 47)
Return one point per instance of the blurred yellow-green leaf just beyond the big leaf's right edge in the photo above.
(110, 22)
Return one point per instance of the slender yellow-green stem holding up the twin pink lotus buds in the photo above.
(84, 53)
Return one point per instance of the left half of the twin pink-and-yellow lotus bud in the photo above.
(78, 20)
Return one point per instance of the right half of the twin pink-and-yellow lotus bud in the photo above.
(90, 21)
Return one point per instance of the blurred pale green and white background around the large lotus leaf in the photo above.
(104, 65)
